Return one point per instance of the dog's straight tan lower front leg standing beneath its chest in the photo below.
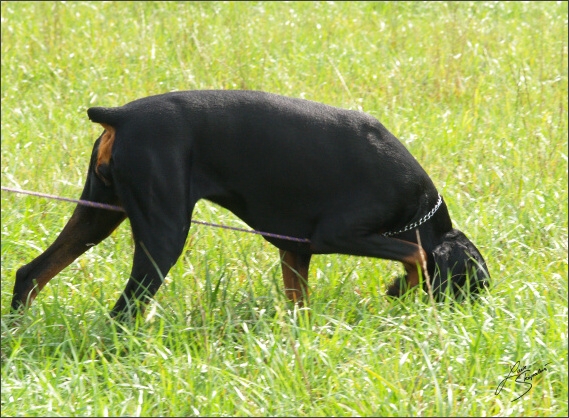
(295, 275)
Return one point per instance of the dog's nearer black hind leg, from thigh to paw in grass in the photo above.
(159, 211)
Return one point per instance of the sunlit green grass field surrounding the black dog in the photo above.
(476, 91)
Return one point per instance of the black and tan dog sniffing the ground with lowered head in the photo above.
(285, 166)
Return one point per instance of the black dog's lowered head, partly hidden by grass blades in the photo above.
(457, 268)
